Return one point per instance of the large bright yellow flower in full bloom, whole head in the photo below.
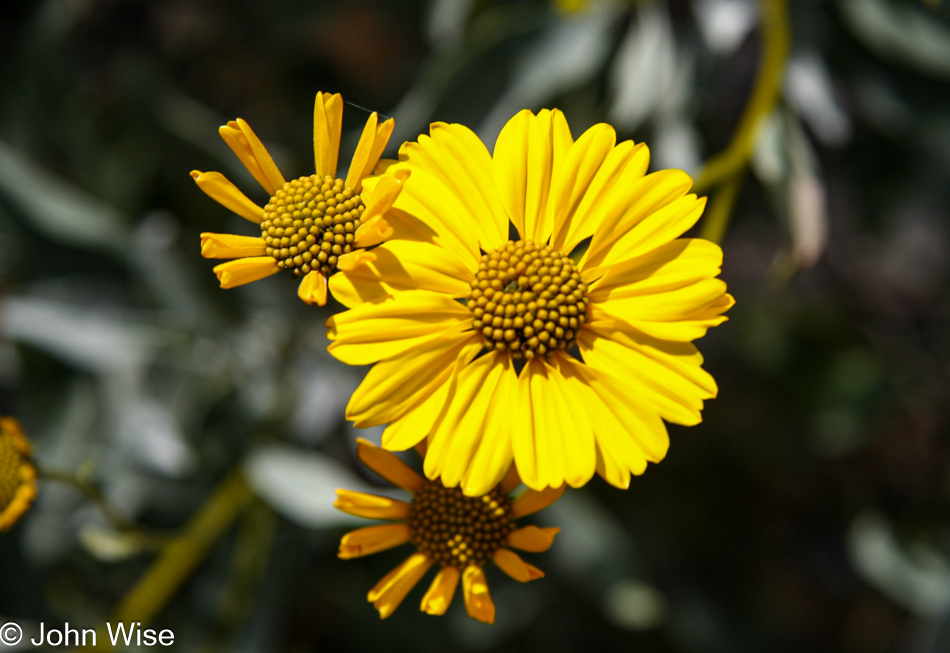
(563, 351)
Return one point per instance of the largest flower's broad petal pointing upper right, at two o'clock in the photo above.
(644, 215)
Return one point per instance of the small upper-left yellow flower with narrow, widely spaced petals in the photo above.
(311, 226)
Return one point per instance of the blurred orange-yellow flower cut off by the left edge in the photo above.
(17, 473)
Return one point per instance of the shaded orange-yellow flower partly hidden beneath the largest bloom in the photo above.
(459, 533)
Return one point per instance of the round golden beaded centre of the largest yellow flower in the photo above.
(528, 299)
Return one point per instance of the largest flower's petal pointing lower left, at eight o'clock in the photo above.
(396, 385)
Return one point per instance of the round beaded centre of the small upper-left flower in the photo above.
(310, 223)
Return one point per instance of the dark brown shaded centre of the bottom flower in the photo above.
(456, 530)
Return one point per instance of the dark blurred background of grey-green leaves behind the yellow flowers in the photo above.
(809, 511)
